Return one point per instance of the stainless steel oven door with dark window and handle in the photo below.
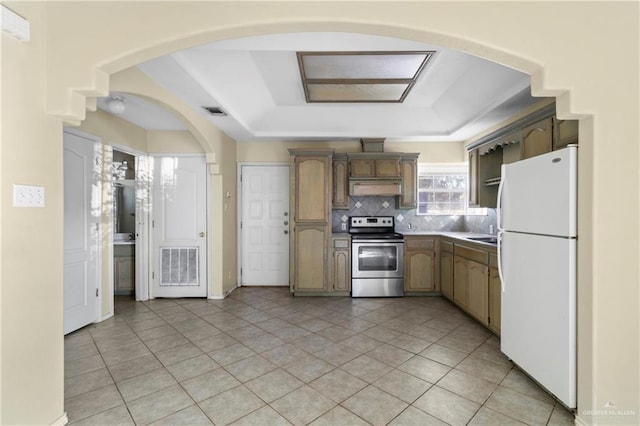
(377, 259)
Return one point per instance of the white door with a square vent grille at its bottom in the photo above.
(179, 227)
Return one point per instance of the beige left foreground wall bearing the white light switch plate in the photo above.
(31, 357)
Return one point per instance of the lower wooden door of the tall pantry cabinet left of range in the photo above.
(310, 269)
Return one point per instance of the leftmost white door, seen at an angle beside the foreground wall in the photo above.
(81, 222)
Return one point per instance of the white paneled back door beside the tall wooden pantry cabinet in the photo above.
(265, 225)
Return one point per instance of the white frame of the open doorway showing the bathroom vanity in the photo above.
(142, 229)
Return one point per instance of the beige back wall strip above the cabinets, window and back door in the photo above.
(430, 152)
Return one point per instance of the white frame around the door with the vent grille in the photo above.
(208, 197)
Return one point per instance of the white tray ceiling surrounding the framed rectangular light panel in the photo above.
(257, 82)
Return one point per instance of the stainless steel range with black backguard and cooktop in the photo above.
(377, 257)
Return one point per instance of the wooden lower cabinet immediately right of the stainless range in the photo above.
(420, 268)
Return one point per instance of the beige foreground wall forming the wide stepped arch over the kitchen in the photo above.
(555, 43)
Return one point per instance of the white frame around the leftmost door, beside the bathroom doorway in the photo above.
(98, 159)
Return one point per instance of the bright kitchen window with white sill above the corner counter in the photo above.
(442, 190)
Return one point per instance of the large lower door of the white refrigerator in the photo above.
(538, 309)
